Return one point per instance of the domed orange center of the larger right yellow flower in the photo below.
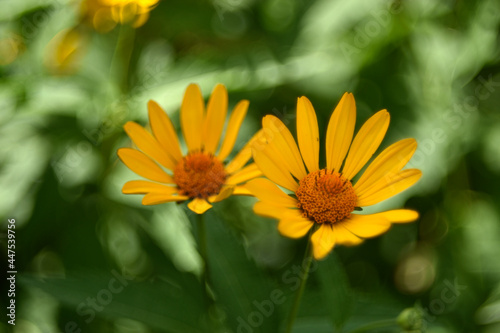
(326, 196)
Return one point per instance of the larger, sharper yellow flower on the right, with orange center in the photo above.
(326, 198)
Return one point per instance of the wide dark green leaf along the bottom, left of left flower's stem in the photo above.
(169, 305)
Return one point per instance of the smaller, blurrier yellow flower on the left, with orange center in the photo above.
(200, 175)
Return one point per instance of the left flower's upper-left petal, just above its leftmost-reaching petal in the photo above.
(148, 144)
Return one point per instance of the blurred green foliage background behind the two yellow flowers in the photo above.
(68, 82)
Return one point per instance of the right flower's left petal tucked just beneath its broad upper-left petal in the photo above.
(272, 169)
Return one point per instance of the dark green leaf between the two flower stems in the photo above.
(240, 288)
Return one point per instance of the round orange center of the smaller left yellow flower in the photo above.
(199, 175)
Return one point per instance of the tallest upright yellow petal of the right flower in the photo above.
(340, 132)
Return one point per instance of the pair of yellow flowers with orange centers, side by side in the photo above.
(323, 199)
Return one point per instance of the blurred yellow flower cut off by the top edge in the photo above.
(104, 15)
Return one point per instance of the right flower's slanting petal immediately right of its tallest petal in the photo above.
(366, 143)
